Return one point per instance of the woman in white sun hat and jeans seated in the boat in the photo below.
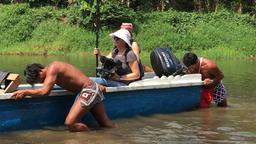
(128, 71)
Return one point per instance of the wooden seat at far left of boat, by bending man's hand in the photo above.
(11, 82)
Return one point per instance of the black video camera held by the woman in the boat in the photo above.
(107, 69)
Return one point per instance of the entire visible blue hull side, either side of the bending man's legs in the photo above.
(32, 113)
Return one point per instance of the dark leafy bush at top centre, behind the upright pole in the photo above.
(111, 15)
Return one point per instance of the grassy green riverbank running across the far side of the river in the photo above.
(48, 31)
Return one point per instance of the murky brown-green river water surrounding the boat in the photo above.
(232, 125)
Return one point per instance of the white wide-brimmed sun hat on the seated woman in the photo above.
(122, 34)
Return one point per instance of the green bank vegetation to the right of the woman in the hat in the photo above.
(197, 31)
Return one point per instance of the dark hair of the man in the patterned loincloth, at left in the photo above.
(32, 72)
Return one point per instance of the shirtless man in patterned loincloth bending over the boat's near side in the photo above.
(72, 79)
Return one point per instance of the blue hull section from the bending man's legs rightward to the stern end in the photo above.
(146, 102)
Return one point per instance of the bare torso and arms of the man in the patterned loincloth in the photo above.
(63, 74)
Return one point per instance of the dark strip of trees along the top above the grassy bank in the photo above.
(239, 6)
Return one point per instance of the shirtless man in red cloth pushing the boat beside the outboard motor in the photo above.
(211, 75)
